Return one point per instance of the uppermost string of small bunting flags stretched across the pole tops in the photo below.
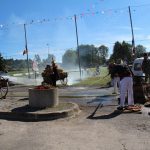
(89, 12)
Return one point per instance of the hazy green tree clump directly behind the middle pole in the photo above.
(89, 55)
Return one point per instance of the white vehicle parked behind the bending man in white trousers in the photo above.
(137, 67)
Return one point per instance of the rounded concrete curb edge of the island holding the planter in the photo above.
(40, 116)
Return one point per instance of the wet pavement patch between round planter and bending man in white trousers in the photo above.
(88, 96)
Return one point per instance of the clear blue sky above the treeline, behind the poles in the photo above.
(50, 23)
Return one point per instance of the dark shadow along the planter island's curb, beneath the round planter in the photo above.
(31, 114)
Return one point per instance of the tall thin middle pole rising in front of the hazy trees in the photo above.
(77, 45)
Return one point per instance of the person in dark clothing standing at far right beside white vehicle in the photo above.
(146, 67)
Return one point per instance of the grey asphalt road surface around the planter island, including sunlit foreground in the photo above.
(106, 130)
